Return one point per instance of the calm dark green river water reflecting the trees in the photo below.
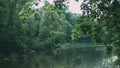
(63, 58)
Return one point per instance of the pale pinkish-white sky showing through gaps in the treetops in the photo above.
(74, 6)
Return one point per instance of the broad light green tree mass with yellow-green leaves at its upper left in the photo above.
(47, 26)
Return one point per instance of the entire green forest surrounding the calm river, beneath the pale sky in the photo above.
(25, 29)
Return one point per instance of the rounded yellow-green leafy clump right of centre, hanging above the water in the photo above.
(82, 29)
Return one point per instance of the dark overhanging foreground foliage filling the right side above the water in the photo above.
(105, 29)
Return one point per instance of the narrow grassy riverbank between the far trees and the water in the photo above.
(63, 46)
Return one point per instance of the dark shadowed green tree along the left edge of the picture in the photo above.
(12, 33)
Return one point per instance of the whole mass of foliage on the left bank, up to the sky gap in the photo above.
(24, 28)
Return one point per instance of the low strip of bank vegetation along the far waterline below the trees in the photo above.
(65, 46)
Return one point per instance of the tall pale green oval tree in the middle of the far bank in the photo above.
(53, 27)
